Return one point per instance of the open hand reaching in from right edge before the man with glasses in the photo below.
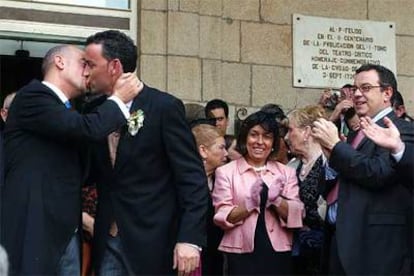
(388, 138)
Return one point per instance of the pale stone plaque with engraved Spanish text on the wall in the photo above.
(327, 51)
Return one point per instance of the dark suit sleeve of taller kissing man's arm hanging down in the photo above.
(190, 178)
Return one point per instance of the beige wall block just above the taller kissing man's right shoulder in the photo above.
(184, 78)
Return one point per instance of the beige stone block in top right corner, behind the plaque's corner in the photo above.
(399, 11)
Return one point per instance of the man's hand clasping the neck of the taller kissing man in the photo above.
(127, 87)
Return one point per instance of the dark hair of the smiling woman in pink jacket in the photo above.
(267, 122)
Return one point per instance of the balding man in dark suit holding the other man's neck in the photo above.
(40, 200)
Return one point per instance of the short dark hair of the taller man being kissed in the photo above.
(116, 44)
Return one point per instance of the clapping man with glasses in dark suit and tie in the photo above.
(373, 219)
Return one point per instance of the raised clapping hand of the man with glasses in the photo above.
(326, 133)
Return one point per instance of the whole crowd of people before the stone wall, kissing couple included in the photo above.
(144, 187)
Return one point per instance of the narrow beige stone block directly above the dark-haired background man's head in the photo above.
(212, 78)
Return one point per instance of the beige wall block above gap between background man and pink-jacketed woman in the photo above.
(236, 84)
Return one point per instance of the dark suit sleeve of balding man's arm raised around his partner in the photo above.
(39, 112)
